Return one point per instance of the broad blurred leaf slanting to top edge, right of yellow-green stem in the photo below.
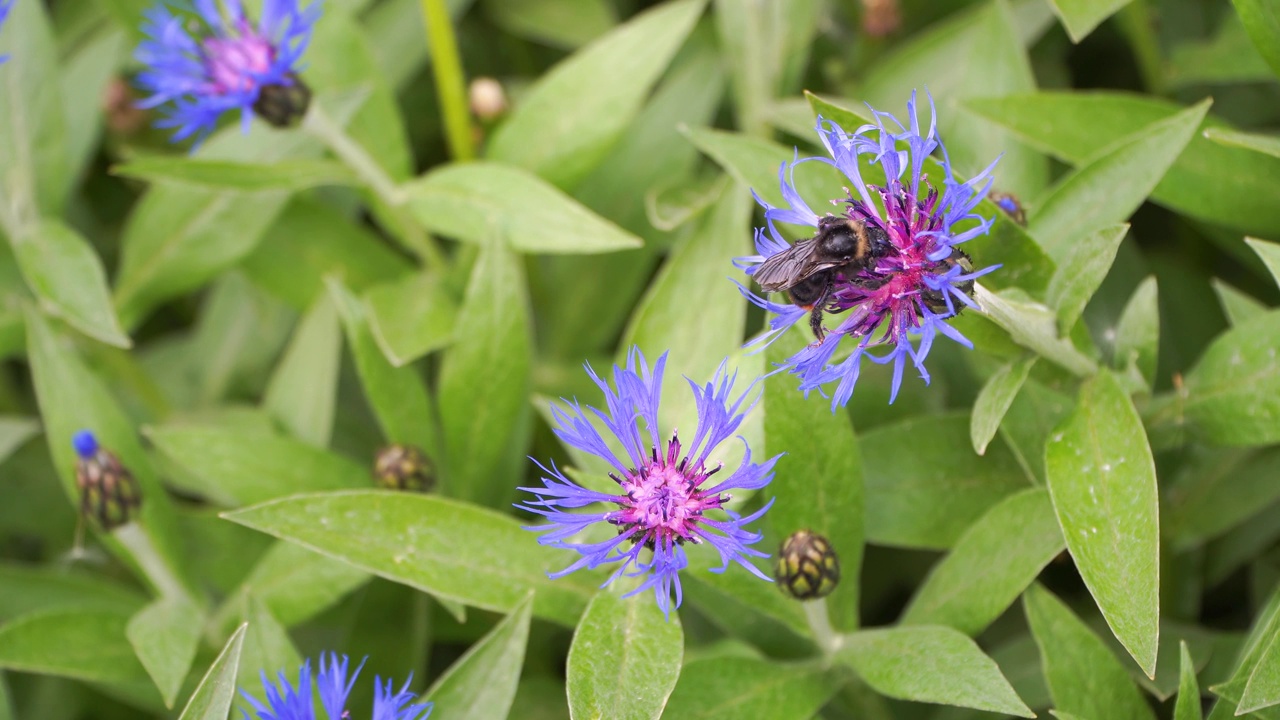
(578, 111)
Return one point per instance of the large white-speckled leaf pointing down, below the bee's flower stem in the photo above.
(1103, 480)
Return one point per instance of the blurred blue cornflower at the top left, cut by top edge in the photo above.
(222, 62)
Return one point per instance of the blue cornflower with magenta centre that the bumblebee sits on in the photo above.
(904, 298)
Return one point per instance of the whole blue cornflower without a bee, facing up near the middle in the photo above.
(664, 499)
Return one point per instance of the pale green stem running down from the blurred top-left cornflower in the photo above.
(355, 157)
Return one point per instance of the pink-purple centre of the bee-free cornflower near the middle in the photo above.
(662, 502)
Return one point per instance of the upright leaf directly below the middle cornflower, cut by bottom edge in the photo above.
(625, 659)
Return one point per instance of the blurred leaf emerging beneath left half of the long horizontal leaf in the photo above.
(294, 584)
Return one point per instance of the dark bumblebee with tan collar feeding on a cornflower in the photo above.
(808, 270)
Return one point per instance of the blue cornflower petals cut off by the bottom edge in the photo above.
(290, 701)
